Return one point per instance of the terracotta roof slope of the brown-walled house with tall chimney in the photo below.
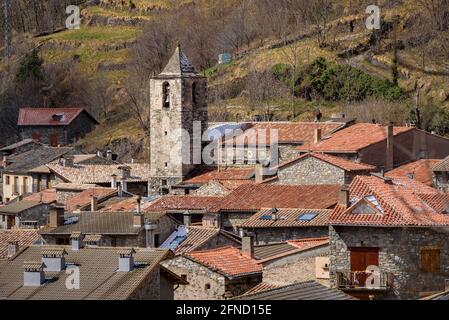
(353, 138)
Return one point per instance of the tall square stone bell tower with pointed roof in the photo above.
(178, 118)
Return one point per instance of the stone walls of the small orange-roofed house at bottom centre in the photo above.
(205, 284)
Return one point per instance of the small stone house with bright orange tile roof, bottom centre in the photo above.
(215, 274)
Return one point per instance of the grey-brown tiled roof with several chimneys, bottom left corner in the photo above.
(99, 278)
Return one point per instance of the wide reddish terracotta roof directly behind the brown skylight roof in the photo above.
(253, 197)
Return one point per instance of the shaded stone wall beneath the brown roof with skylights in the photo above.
(274, 235)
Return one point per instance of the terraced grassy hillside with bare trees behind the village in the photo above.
(290, 58)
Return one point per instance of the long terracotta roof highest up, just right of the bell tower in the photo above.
(288, 132)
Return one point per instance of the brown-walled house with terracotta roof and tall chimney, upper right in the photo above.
(382, 146)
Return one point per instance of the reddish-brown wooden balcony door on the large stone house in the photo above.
(361, 258)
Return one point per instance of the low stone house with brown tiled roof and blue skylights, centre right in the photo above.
(277, 225)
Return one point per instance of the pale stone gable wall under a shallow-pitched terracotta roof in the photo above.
(311, 170)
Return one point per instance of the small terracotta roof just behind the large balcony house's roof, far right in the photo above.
(420, 170)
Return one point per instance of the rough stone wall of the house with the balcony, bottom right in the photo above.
(399, 253)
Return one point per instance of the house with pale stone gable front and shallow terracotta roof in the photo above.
(317, 168)
